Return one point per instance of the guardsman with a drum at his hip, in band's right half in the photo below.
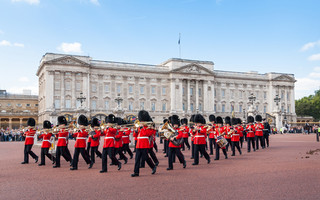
(219, 132)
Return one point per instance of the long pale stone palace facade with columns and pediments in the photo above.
(71, 84)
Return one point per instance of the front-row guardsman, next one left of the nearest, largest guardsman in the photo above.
(108, 146)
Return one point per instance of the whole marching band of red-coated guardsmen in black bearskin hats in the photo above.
(218, 133)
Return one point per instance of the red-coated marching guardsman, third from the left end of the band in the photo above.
(62, 148)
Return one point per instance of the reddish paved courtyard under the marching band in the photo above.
(283, 171)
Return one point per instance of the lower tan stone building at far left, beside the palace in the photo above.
(15, 109)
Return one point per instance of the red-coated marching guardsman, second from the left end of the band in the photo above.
(46, 143)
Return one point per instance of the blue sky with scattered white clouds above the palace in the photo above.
(237, 35)
